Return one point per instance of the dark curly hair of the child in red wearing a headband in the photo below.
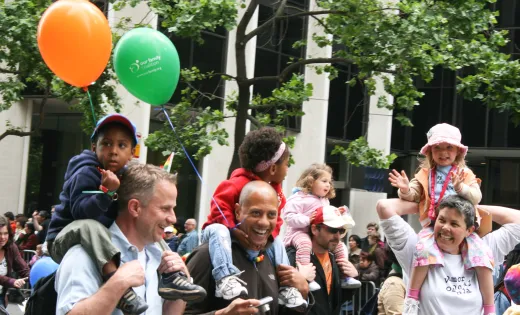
(260, 145)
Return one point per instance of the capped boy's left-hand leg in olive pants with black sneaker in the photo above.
(96, 240)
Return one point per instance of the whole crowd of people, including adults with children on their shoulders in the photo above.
(115, 236)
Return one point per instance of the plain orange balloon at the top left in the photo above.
(75, 41)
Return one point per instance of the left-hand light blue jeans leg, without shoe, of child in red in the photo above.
(219, 239)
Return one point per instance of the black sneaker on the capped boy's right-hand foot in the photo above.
(176, 286)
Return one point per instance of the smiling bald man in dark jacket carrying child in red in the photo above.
(258, 211)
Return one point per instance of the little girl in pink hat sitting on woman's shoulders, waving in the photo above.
(443, 172)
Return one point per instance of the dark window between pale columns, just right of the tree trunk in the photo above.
(274, 49)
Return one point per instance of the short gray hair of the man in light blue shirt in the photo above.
(139, 182)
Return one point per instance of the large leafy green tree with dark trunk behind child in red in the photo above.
(405, 39)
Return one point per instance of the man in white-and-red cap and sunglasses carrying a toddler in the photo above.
(325, 231)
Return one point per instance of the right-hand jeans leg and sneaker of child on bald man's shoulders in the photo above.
(288, 296)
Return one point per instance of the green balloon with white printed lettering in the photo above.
(147, 64)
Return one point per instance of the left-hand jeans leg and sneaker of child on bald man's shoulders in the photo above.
(228, 284)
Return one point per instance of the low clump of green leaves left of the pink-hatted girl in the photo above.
(358, 153)
